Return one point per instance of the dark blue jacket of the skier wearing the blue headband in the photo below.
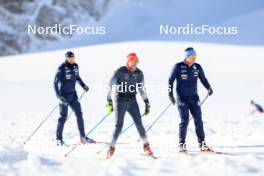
(186, 79)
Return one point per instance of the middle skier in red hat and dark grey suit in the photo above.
(127, 80)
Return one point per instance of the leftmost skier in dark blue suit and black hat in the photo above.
(64, 84)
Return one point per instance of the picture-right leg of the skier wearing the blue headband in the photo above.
(196, 112)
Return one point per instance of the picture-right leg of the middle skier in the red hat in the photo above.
(135, 113)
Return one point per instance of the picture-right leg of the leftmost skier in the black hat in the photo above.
(76, 107)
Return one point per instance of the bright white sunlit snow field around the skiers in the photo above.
(27, 96)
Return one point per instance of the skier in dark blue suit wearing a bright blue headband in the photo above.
(186, 74)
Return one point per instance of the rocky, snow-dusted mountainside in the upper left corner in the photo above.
(16, 15)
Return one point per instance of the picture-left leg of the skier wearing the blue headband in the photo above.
(183, 108)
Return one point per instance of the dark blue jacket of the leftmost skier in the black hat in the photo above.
(66, 78)
